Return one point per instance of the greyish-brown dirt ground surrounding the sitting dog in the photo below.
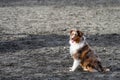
(34, 37)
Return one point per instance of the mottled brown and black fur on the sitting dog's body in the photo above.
(88, 59)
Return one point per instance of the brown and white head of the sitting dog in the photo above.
(76, 35)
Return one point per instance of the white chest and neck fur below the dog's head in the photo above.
(75, 46)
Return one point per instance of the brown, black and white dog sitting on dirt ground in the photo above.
(83, 55)
